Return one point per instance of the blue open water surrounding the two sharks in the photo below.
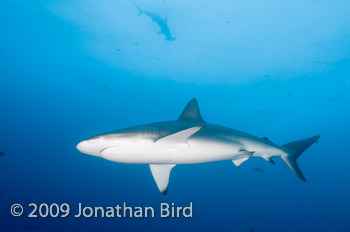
(279, 69)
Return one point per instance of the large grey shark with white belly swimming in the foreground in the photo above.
(188, 140)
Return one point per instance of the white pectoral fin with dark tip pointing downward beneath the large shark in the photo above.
(161, 174)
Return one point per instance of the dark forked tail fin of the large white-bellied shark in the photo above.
(294, 150)
